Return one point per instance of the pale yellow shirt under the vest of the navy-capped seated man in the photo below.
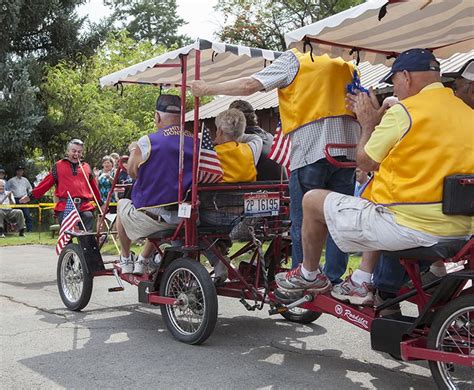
(427, 218)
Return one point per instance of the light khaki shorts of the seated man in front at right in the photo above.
(357, 225)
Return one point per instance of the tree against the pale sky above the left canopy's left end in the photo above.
(154, 20)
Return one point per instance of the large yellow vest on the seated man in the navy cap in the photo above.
(439, 143)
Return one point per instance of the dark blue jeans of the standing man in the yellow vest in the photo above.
(322, 175)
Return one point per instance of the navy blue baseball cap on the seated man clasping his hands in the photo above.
(413, 60)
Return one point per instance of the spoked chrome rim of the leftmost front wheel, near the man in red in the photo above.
(72, 277)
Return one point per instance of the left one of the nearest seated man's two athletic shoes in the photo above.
(293, 282)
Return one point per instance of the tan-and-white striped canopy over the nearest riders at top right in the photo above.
(443, 26)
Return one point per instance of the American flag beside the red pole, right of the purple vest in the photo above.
(210, 169)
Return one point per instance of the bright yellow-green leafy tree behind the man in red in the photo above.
(104, 119)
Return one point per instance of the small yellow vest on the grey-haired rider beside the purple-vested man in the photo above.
(237, 162)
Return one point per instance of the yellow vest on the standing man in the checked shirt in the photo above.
(318, 91)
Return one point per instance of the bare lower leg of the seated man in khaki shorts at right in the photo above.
(314, 232)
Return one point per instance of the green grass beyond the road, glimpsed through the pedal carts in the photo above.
(35, 238)
